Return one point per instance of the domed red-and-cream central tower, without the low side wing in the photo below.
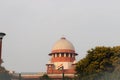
(62, 54)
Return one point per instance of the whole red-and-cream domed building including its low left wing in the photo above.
(61, 64)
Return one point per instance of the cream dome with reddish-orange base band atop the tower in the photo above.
(63, 45)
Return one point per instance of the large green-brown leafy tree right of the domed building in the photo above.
(98, 63)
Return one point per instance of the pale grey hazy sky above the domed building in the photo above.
(33, 26)
